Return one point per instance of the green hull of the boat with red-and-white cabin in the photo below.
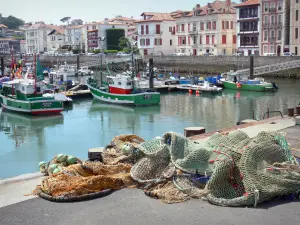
(139, 99)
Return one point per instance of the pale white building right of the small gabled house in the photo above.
(75, 36)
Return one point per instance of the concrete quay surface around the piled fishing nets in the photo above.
(131, 206)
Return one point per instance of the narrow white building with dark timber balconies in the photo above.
(248, 27)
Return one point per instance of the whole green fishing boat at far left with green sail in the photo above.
(26, 95)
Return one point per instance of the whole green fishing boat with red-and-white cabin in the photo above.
(120, 90)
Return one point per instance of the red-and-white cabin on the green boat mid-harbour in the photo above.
(120, 84)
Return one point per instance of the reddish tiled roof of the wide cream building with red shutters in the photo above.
(215, 7)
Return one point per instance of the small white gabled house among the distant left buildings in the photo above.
(55, 39)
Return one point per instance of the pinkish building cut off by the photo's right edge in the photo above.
(295, 27)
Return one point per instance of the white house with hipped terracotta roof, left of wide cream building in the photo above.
(156, 34)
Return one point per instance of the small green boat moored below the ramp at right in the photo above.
(236, 81)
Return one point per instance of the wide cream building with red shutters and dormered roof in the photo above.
(209, 29)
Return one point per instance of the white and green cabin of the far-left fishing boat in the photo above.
(22, 89)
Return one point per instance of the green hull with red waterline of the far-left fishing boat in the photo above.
(39, 107)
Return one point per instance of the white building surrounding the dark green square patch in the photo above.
(97, 30)
